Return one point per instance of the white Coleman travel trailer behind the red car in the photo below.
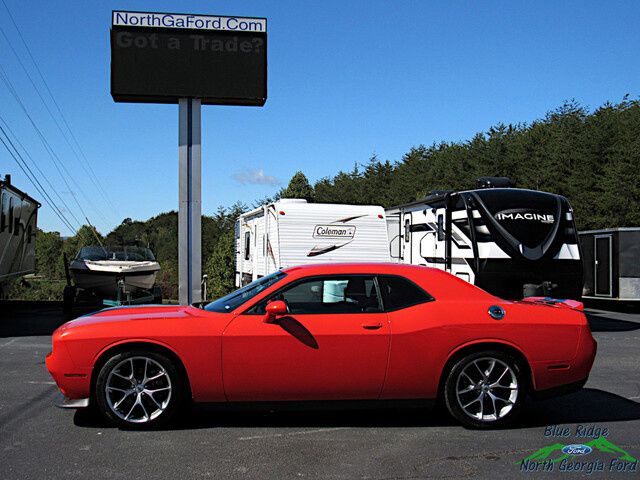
(293, 232)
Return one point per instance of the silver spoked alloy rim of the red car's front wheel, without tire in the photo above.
(138, 389)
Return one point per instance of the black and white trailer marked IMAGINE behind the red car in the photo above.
(511, 242)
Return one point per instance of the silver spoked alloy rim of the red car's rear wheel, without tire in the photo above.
(487, 389)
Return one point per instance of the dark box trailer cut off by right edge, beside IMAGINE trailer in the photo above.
(611, 264)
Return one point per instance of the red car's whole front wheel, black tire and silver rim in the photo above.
(157, 414)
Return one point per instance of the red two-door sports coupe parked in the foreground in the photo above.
(327, 332)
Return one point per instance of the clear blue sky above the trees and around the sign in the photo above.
(347, 79)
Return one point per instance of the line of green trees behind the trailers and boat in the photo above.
(590, 157)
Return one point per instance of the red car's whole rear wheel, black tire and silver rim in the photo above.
(477, 392)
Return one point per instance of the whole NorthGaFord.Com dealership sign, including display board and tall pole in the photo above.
(191, 60)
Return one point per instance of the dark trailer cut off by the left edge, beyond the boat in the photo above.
(18, 220)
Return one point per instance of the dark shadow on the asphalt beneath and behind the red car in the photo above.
(586, 406)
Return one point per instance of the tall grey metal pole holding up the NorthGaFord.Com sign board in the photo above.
(190, 210)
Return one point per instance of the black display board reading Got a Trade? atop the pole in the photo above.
(162, 57)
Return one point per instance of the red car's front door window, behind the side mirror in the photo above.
(328, 295)
